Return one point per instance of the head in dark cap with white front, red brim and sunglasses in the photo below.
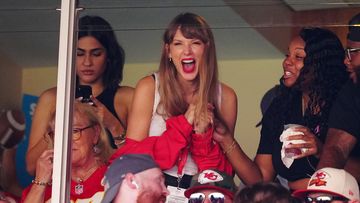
(211, 186)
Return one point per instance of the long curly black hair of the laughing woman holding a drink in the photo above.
(324, 63)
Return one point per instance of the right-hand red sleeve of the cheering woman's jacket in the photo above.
(208, 154)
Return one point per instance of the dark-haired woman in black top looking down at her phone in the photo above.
(99, 64)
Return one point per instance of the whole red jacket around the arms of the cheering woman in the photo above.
(173, 145)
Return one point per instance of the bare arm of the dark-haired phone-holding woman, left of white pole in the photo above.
(44, 111)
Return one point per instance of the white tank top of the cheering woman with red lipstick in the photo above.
(158, 126)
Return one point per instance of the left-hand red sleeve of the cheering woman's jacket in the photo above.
(166, 148)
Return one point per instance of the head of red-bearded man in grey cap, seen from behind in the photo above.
(134, 178)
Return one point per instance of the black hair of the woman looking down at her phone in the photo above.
(101, 30)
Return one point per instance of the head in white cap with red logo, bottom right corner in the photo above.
(330, 185)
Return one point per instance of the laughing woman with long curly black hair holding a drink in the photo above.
(314, 66)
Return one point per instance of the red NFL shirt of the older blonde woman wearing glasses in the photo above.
(93, 189)
